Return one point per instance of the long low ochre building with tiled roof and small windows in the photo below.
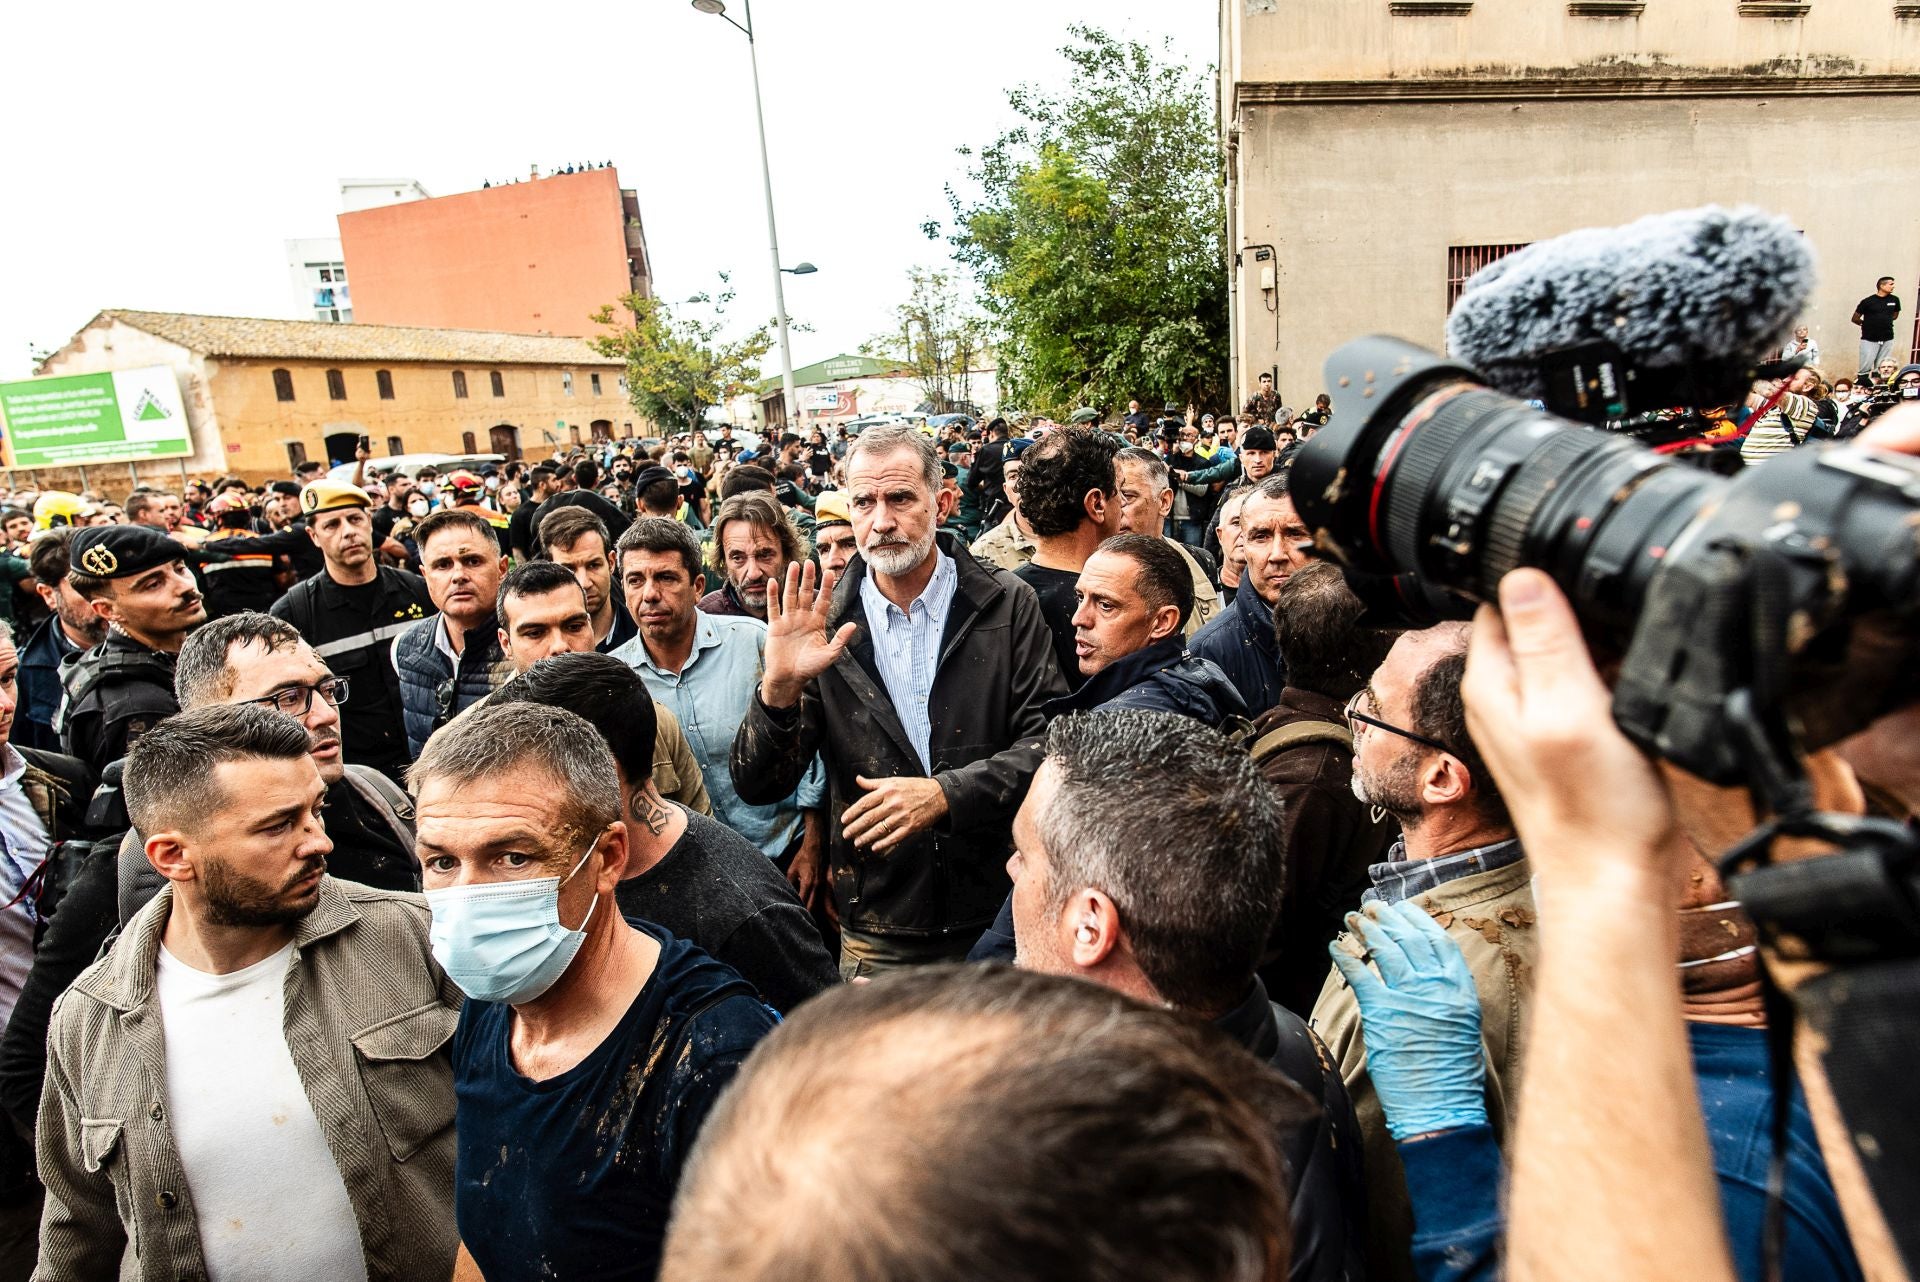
(264, 396)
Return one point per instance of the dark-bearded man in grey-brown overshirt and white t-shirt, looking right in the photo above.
(256, 1080)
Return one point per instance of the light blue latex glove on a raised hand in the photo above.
(1420, 1018)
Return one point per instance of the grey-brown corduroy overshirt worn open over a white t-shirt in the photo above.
(368, 1024)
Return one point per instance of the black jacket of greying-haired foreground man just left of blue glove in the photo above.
(1330, 1189)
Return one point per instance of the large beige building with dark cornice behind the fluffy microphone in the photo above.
(1383, 151)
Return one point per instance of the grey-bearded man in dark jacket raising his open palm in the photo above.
(919, 678)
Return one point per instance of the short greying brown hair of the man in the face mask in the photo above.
(527, 738)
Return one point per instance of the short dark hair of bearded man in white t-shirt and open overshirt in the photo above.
(170, 769)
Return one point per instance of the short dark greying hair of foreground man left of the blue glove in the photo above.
(1195, 874)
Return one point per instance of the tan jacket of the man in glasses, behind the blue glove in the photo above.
(1491, 916)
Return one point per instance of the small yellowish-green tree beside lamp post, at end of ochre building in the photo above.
(681, 368)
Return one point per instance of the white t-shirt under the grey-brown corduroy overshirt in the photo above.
(268, 1197)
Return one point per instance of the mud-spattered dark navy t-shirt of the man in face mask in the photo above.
(573, 1177)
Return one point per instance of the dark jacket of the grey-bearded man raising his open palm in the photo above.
(996, 673)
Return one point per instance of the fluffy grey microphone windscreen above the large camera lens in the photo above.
(1700, 293)
